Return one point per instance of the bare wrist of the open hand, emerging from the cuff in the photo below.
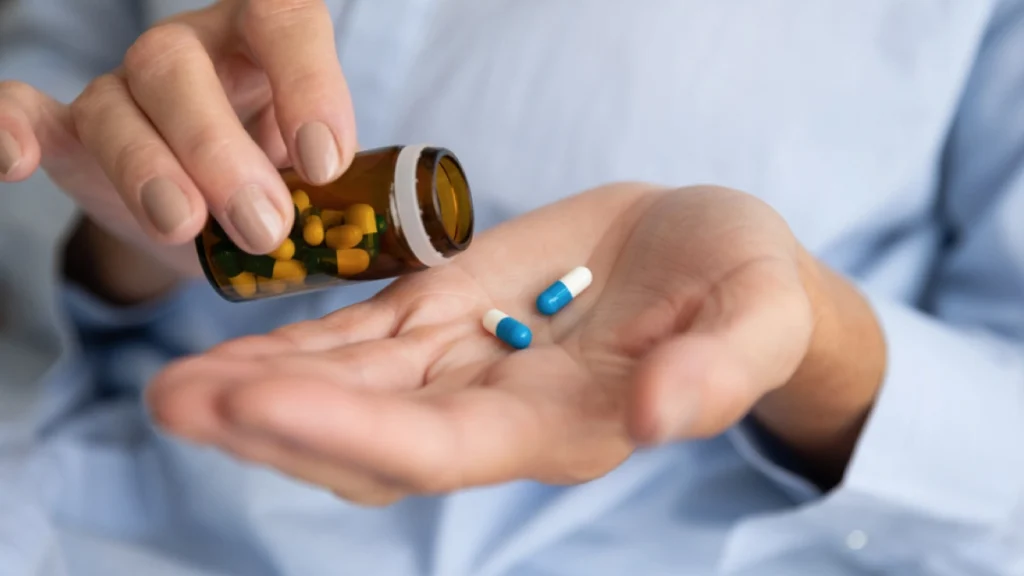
(821, 412)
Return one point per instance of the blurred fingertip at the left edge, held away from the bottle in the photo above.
(30, 122)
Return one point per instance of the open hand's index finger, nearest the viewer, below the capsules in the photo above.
(430, 446)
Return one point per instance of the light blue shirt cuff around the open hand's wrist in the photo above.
(938, 461)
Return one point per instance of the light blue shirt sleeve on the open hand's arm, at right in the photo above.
(938, 473)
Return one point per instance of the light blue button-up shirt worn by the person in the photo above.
(890, 134)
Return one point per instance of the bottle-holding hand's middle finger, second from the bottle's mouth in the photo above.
(175, 83)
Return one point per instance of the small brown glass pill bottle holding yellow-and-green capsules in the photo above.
(395, 212)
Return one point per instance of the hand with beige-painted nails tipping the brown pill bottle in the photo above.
(204, 111)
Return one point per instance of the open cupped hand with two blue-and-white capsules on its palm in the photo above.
(698, 309)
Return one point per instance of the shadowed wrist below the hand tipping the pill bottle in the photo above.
(112, 269)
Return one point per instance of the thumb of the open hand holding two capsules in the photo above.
(752, 333)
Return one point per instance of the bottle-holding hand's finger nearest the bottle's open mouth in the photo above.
(294, 43)
